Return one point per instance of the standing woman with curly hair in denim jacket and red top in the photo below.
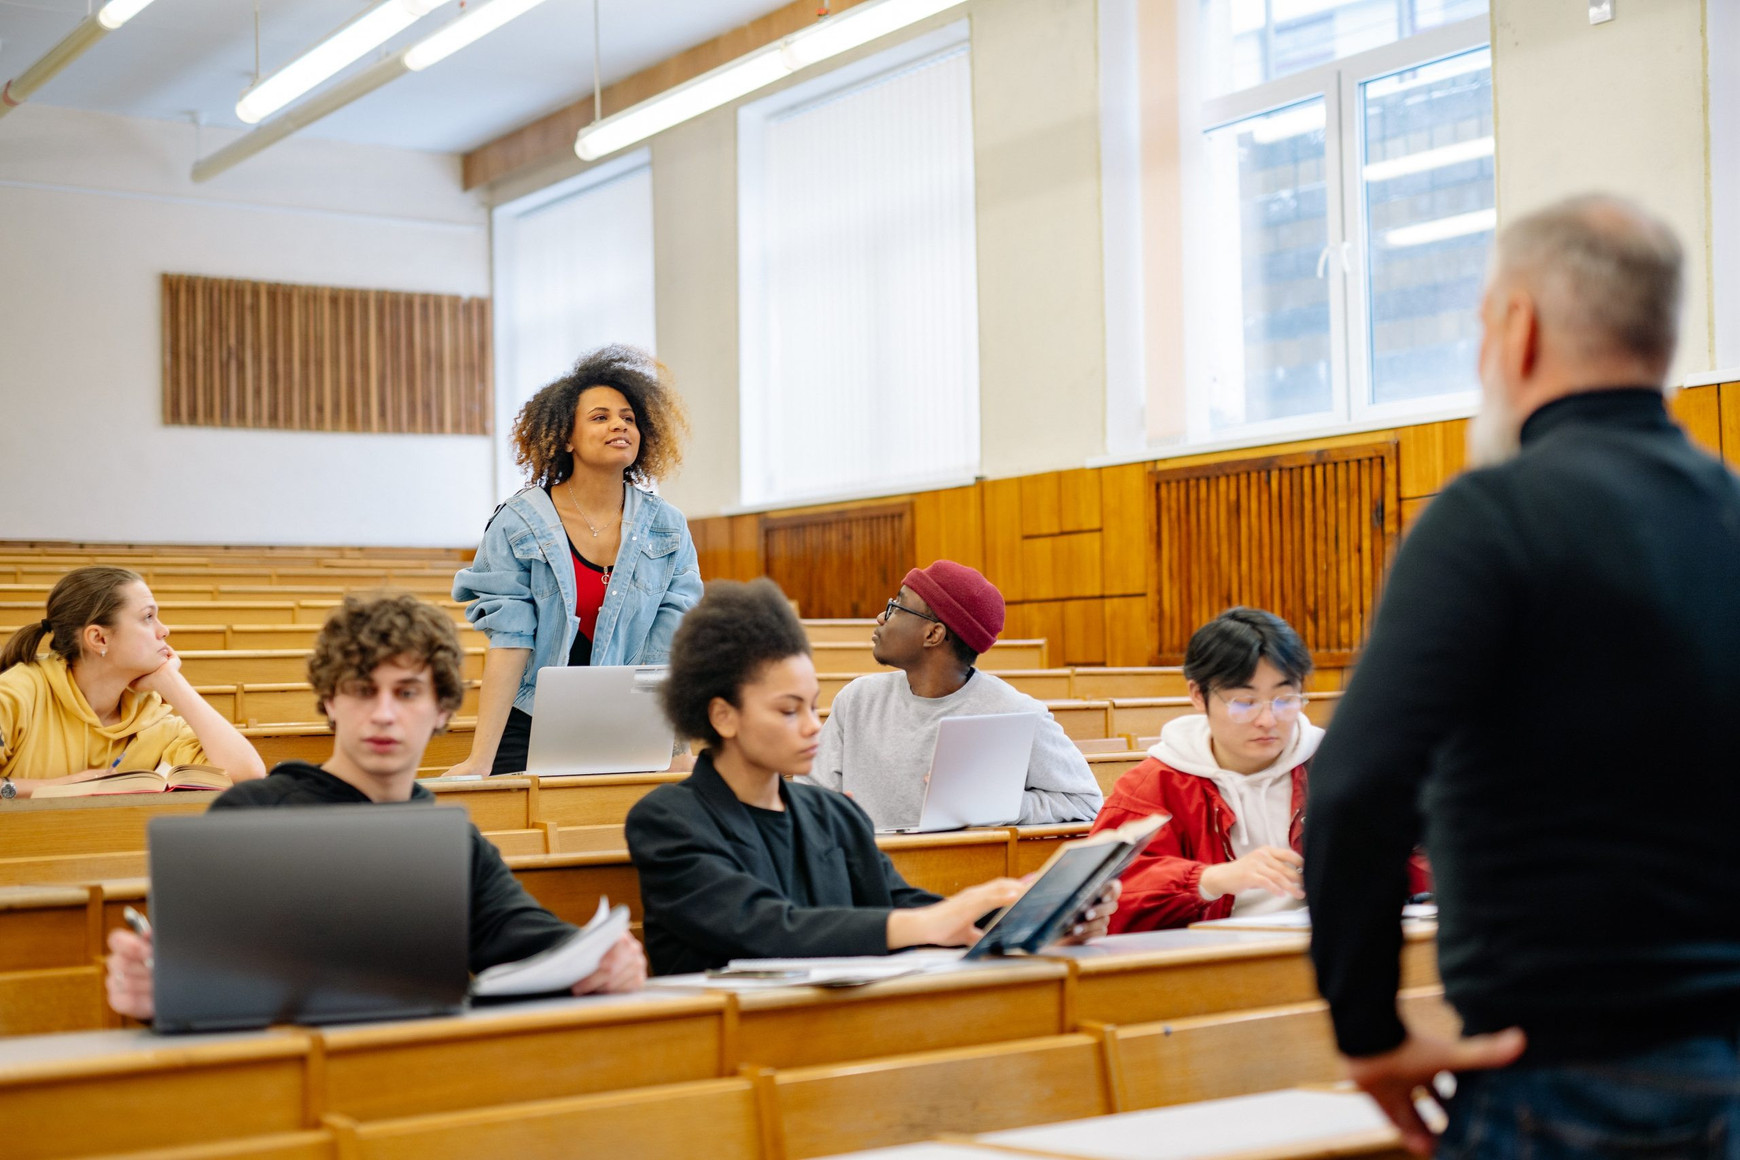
(586, 566)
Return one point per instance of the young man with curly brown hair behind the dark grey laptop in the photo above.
(387, 674)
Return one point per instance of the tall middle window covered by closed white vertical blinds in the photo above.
(859, 290)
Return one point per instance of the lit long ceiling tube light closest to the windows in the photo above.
(831, 37)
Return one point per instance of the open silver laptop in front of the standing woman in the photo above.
(599, 721)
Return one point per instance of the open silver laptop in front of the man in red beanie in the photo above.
(979, 773)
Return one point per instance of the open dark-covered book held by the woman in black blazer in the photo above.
(1067, 883)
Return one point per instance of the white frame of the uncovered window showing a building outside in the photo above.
(1346, 260)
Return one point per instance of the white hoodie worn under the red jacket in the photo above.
(1262, 803)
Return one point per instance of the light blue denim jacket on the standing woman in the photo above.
(521, 587)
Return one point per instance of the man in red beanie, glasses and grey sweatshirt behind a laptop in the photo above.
(881, 731)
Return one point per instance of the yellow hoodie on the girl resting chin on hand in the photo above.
(48, 730)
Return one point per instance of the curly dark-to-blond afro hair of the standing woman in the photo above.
(547, 422)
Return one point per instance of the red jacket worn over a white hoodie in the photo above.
(1161, 886)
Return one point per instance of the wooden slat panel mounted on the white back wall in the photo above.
(321, 359)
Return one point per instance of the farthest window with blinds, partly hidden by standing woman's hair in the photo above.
(573, 272)
